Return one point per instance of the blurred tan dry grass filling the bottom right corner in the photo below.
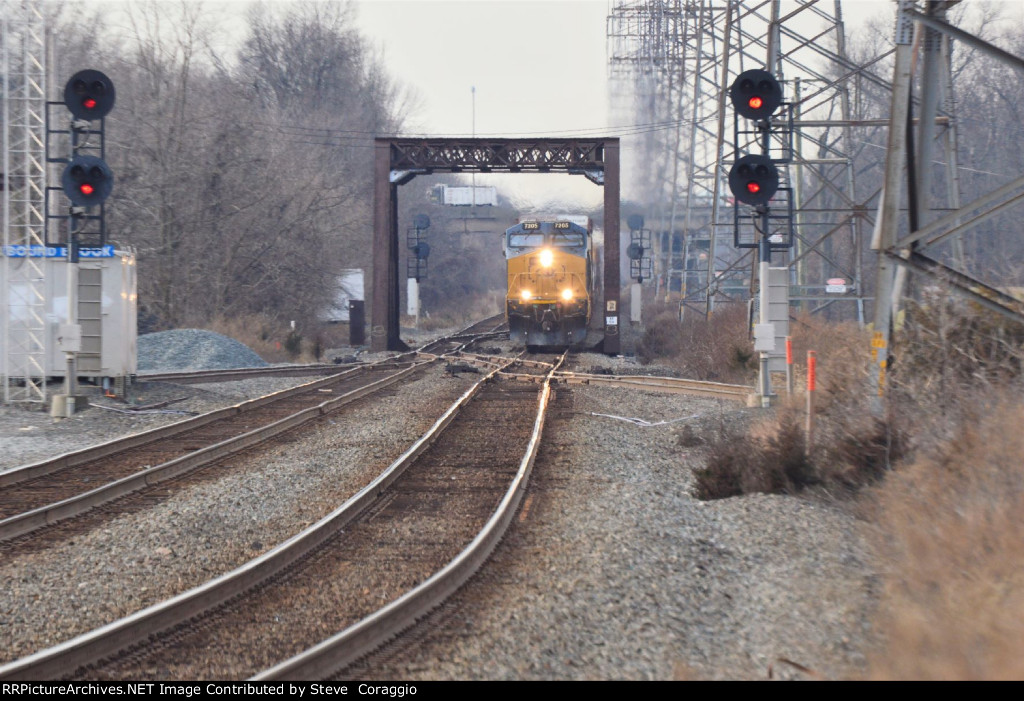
(950, 532)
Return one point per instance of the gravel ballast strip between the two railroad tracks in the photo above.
(140, 559)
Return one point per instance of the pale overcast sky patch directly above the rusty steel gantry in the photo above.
(538, 66)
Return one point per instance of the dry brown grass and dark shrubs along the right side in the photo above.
(948, 521)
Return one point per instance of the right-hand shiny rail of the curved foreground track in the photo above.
(364, 637)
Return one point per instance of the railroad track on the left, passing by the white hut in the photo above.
(38, 496)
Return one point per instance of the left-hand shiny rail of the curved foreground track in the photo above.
(138, 628)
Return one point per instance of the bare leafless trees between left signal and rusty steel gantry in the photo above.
(243, 177)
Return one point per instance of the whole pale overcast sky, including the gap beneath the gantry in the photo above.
(539, 67)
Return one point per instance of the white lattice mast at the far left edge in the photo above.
(23, 62)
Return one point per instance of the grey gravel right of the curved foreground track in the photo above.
(614, 571)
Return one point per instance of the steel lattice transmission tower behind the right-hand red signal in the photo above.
(686, 55)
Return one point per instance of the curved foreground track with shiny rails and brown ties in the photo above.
(459, 485)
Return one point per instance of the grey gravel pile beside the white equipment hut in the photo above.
(193, 349)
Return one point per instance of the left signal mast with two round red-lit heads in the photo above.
(88, 182)
